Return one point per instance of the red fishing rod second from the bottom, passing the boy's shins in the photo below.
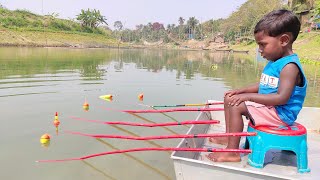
(163, 137)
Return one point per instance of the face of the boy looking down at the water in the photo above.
(269, 47)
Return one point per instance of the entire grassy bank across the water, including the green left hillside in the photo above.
(23, 28)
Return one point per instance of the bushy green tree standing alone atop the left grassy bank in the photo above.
(91, 18)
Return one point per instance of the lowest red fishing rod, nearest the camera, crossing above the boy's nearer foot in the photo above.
(151, 149)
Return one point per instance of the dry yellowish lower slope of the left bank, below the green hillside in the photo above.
(10, 37)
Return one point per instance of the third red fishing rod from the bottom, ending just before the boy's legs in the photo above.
(148, 125)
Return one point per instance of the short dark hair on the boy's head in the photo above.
(278, 22)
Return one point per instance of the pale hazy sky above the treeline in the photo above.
(132, 12)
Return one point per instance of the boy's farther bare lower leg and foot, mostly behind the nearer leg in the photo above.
(223, 140)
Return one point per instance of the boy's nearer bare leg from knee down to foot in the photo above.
(235, 125)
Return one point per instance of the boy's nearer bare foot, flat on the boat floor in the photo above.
(224, 157)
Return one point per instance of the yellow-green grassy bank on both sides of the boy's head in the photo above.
(307, 46)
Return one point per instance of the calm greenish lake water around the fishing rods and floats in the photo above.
(37, 82)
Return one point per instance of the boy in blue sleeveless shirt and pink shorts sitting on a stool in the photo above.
(279, 96)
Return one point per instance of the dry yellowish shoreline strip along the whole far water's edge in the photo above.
(307, 46)
